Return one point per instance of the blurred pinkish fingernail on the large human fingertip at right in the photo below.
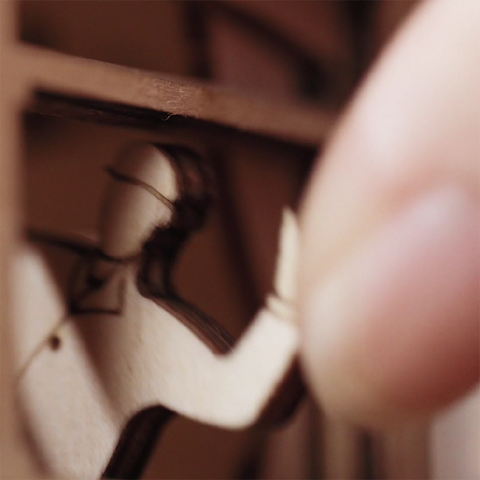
(396, 329)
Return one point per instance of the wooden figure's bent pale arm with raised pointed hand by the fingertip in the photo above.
(235, 389)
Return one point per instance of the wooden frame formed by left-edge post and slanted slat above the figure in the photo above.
(51, 83)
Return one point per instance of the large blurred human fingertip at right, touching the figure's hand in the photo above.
(390, 249)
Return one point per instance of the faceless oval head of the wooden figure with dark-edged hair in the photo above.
(152, 186)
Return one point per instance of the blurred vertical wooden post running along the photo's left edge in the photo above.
(16, 461)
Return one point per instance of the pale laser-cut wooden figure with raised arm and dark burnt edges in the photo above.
(102, 370)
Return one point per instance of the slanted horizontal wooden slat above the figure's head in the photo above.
(53, 72)
